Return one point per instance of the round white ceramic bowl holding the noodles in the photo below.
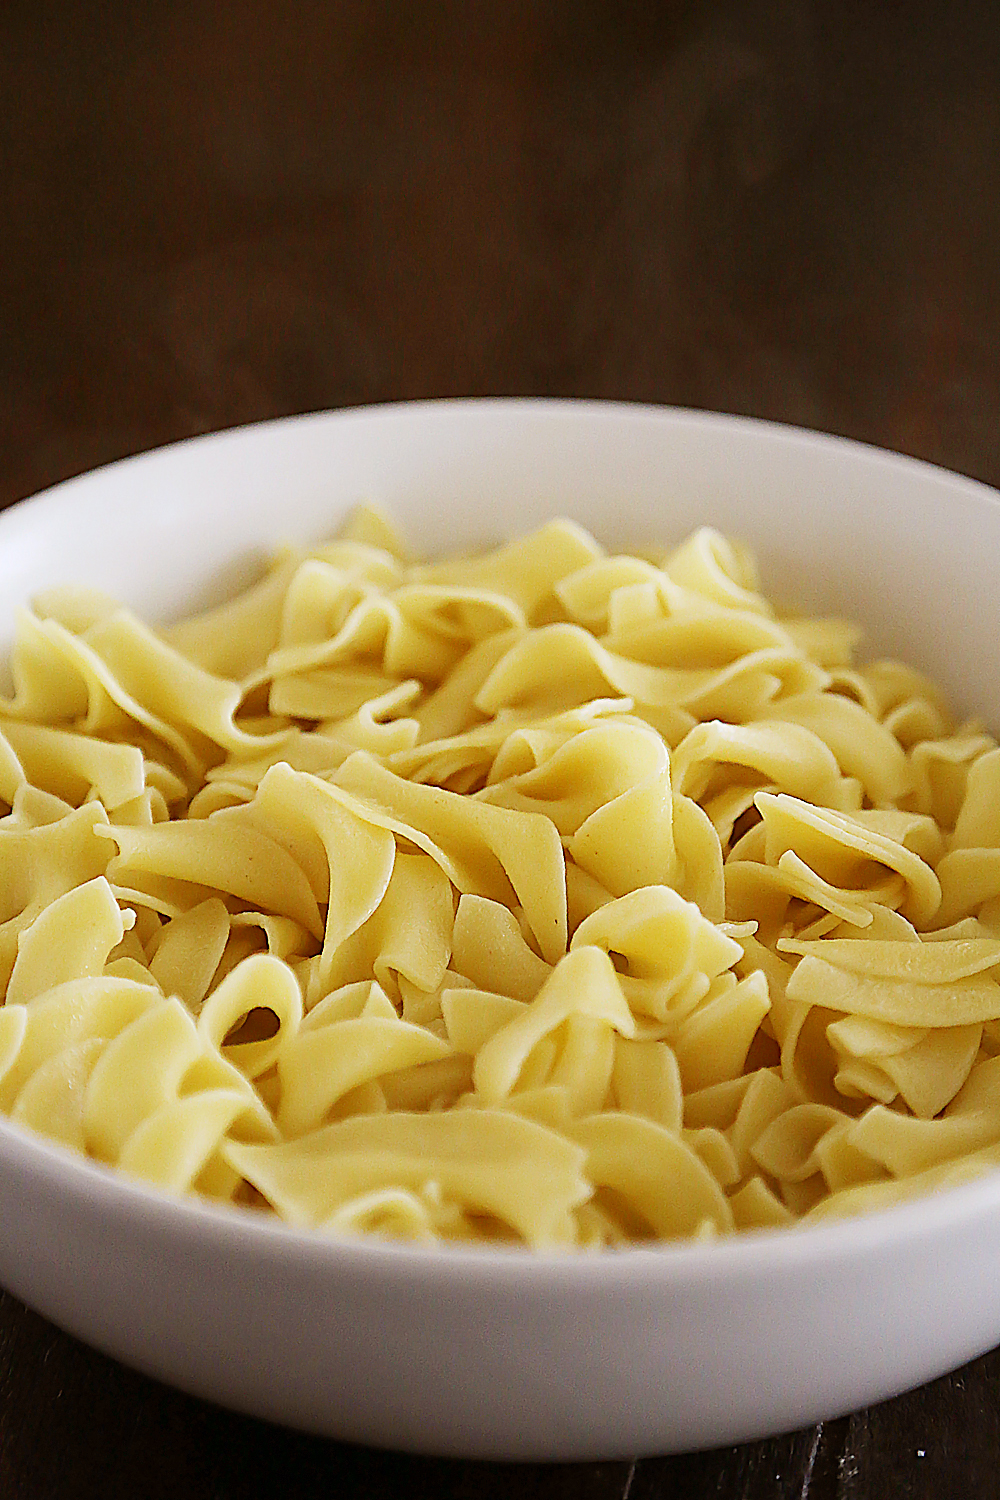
(500, 1354)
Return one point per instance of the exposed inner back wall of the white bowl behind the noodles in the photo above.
(837, 527)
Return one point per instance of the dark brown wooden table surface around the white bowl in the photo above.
(220, 214)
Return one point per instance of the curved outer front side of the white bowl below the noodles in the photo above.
(491, 1357)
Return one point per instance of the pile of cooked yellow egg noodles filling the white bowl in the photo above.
(548, 898)
